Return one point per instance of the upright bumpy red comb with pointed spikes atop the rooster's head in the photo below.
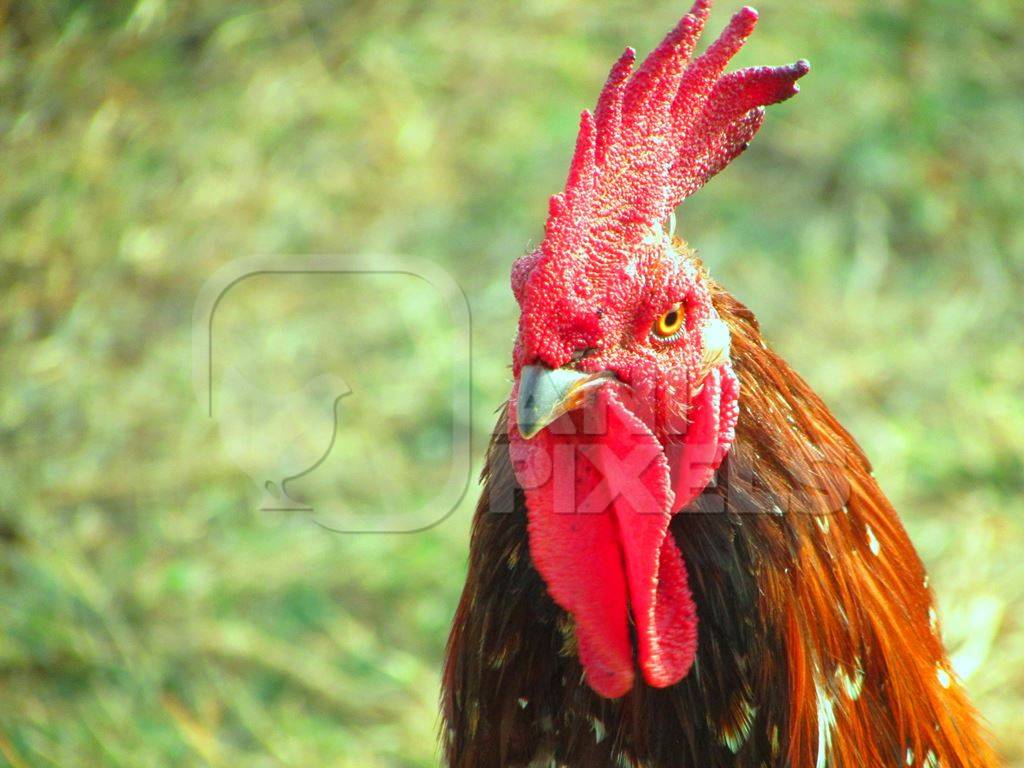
(656, 138)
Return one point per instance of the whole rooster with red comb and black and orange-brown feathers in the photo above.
(680, 558)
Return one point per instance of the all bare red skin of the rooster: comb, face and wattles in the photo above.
(603, 484)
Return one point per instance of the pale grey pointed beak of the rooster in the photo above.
(546, 395)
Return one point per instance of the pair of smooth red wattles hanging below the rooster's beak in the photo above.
(600, 501)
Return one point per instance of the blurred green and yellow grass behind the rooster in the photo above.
(151, 615)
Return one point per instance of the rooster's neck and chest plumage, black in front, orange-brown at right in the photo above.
(818, 644)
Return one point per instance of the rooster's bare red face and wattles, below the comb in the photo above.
(603, 483)
